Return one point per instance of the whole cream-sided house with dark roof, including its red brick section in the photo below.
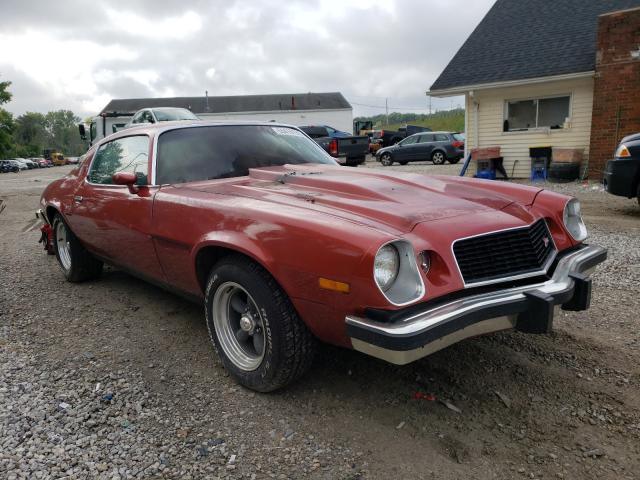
(536, 73)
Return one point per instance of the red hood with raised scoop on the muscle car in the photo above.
(390, 201)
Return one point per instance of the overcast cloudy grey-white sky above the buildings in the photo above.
(78, 55)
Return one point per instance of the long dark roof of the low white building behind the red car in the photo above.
(238, 103)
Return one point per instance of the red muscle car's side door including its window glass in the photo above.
(108, 218)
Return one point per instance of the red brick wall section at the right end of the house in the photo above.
(616, 102)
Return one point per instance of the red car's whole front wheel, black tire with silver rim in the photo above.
(258, 335)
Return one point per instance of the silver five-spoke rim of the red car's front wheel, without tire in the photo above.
(239, 326)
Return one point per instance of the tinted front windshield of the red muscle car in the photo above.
(210, 152)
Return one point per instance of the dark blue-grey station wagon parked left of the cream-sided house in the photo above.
(437, 147)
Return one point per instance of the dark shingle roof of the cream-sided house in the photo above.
(520, 39)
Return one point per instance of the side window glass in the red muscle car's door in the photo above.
(128, 154)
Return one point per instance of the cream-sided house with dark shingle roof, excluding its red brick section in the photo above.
(528, 72)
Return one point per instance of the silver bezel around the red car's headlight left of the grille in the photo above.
(408, 285)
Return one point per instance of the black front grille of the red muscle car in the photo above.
(504, 254)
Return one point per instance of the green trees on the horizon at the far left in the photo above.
(29, 134)
